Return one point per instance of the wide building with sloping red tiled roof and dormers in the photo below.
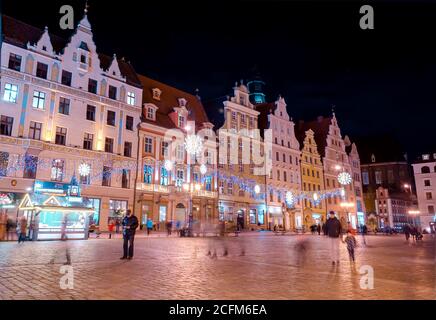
(173, 183)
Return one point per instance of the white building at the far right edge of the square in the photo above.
(425, 180)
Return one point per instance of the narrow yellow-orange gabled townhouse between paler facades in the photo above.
(312, 179)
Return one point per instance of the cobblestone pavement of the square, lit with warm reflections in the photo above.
(256, 267)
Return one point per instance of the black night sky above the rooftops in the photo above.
(312, 53)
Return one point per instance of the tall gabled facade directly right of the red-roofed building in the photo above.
(242, 164)
